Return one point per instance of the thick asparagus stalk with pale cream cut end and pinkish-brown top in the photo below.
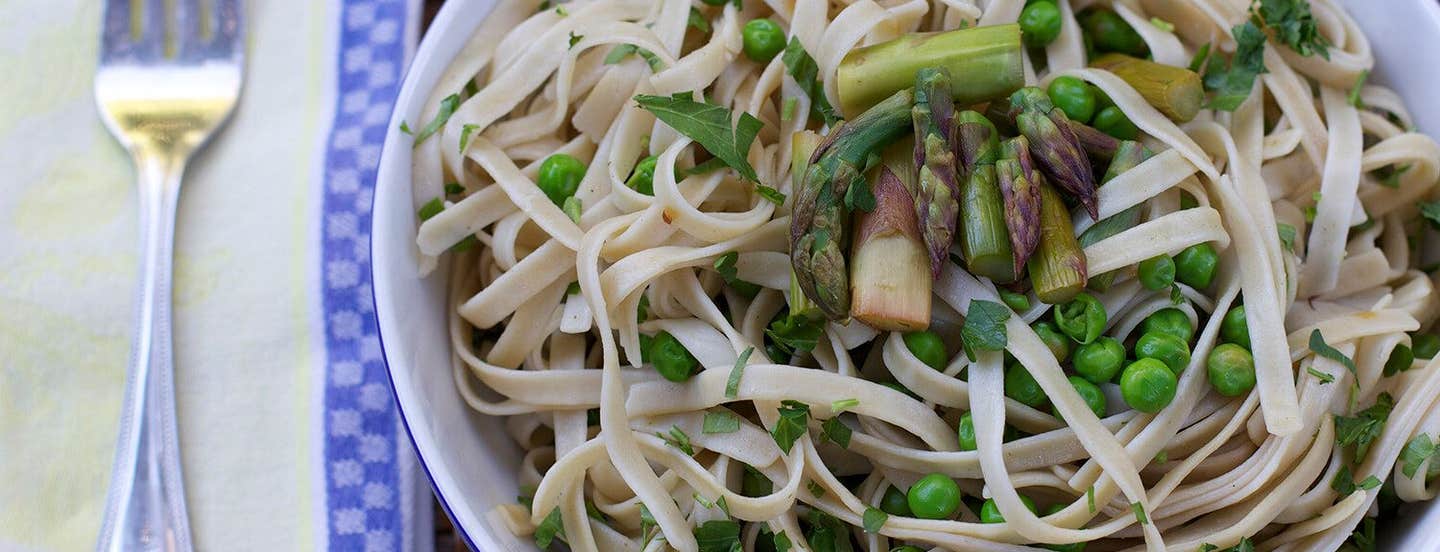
(891, 282)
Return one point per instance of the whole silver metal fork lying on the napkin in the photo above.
(169, 76)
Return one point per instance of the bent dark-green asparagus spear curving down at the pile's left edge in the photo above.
(832, 187)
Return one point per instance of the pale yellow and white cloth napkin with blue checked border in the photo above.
(289, 427)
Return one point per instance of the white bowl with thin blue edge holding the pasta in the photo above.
(470, 459)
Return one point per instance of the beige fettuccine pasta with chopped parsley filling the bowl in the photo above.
(1310, 191)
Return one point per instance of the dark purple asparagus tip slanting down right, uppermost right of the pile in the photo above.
(1055, 145)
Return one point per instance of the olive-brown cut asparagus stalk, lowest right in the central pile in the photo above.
(1059, 269)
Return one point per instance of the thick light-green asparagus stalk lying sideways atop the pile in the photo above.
(990, 58)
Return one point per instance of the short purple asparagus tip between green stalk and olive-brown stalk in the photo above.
(1020, 190)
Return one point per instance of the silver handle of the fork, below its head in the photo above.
(145, 508)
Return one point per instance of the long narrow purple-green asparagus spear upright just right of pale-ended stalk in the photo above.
(937, 202)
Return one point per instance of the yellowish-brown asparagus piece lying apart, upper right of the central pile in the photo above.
(1174, 92)
